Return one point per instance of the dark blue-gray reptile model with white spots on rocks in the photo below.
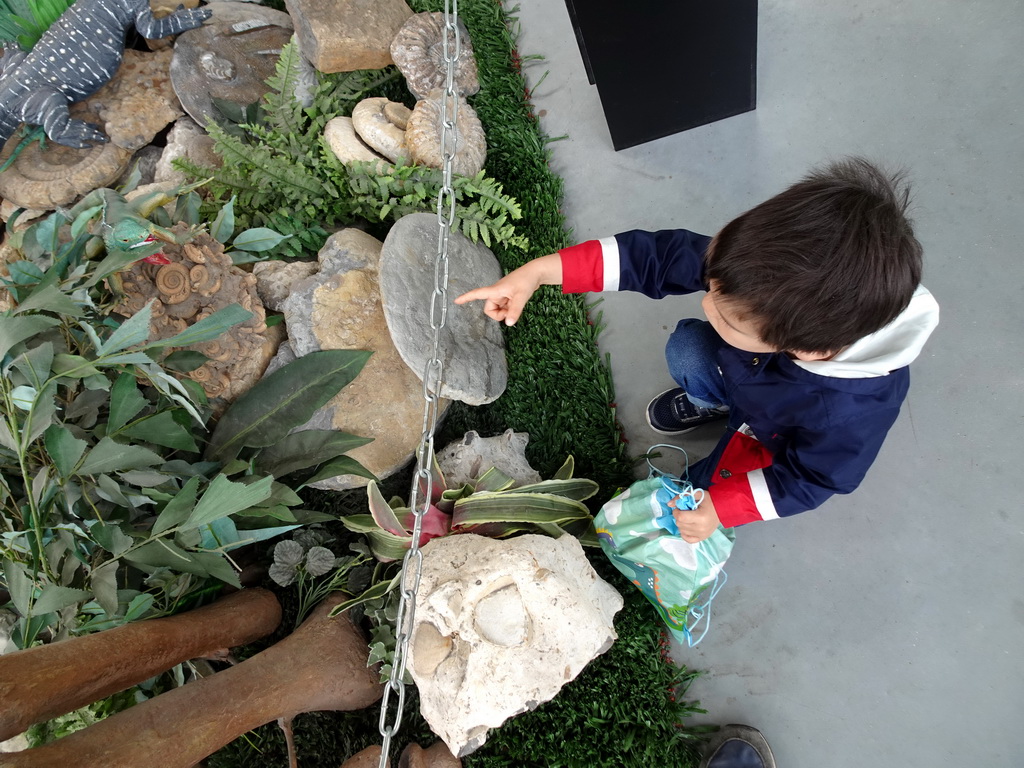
(73, 60)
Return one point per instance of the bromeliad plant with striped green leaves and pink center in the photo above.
(491, 505)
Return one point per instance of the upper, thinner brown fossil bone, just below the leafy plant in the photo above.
(40, 684)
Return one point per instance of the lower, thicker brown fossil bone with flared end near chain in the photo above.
(321, 666)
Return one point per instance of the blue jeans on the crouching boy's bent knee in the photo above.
(691, 354)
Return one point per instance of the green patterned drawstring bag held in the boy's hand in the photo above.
(638, 534)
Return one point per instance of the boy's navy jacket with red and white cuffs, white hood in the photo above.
(798, 432)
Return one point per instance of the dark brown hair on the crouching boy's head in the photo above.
(826, 263)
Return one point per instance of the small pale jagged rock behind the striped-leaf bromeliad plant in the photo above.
(465, 460)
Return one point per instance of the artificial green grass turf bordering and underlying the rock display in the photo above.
(620, 711)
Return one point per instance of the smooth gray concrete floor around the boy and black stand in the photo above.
(887, 628)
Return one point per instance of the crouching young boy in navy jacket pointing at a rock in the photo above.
(815, 313)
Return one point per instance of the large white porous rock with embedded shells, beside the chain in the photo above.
(501, 626)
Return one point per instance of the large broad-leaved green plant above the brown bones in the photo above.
(115, 503)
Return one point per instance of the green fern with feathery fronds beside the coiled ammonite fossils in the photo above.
(284, 176)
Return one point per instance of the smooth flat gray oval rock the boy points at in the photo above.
(473, 348)
